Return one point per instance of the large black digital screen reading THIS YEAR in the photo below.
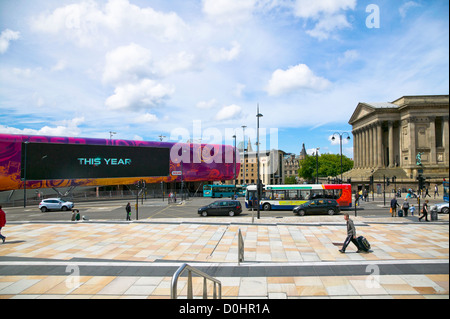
(76, 161)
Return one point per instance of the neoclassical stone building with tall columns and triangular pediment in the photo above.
(388, 137)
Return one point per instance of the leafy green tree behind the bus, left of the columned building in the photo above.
(329, 165)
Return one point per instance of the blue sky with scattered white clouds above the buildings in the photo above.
(198, 69)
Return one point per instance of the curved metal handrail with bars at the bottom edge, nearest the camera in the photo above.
(179, 272)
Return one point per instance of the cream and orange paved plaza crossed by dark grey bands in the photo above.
(284, 258)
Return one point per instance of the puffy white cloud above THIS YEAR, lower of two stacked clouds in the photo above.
(146, 93)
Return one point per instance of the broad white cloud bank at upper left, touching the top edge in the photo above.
(86, 22)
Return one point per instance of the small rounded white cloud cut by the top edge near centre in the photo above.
(229, 11)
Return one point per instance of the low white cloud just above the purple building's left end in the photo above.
(66, 128)
